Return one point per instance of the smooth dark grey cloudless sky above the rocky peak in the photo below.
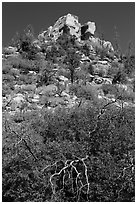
(106, 15)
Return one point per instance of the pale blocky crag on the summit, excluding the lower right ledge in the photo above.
(69, 24)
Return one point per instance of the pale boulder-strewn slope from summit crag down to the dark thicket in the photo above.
(95, 54)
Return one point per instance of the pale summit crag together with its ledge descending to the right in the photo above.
(69, 24)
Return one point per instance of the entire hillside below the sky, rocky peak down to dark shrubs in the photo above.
(68, 116)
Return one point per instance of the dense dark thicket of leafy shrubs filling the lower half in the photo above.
(68, 136)
